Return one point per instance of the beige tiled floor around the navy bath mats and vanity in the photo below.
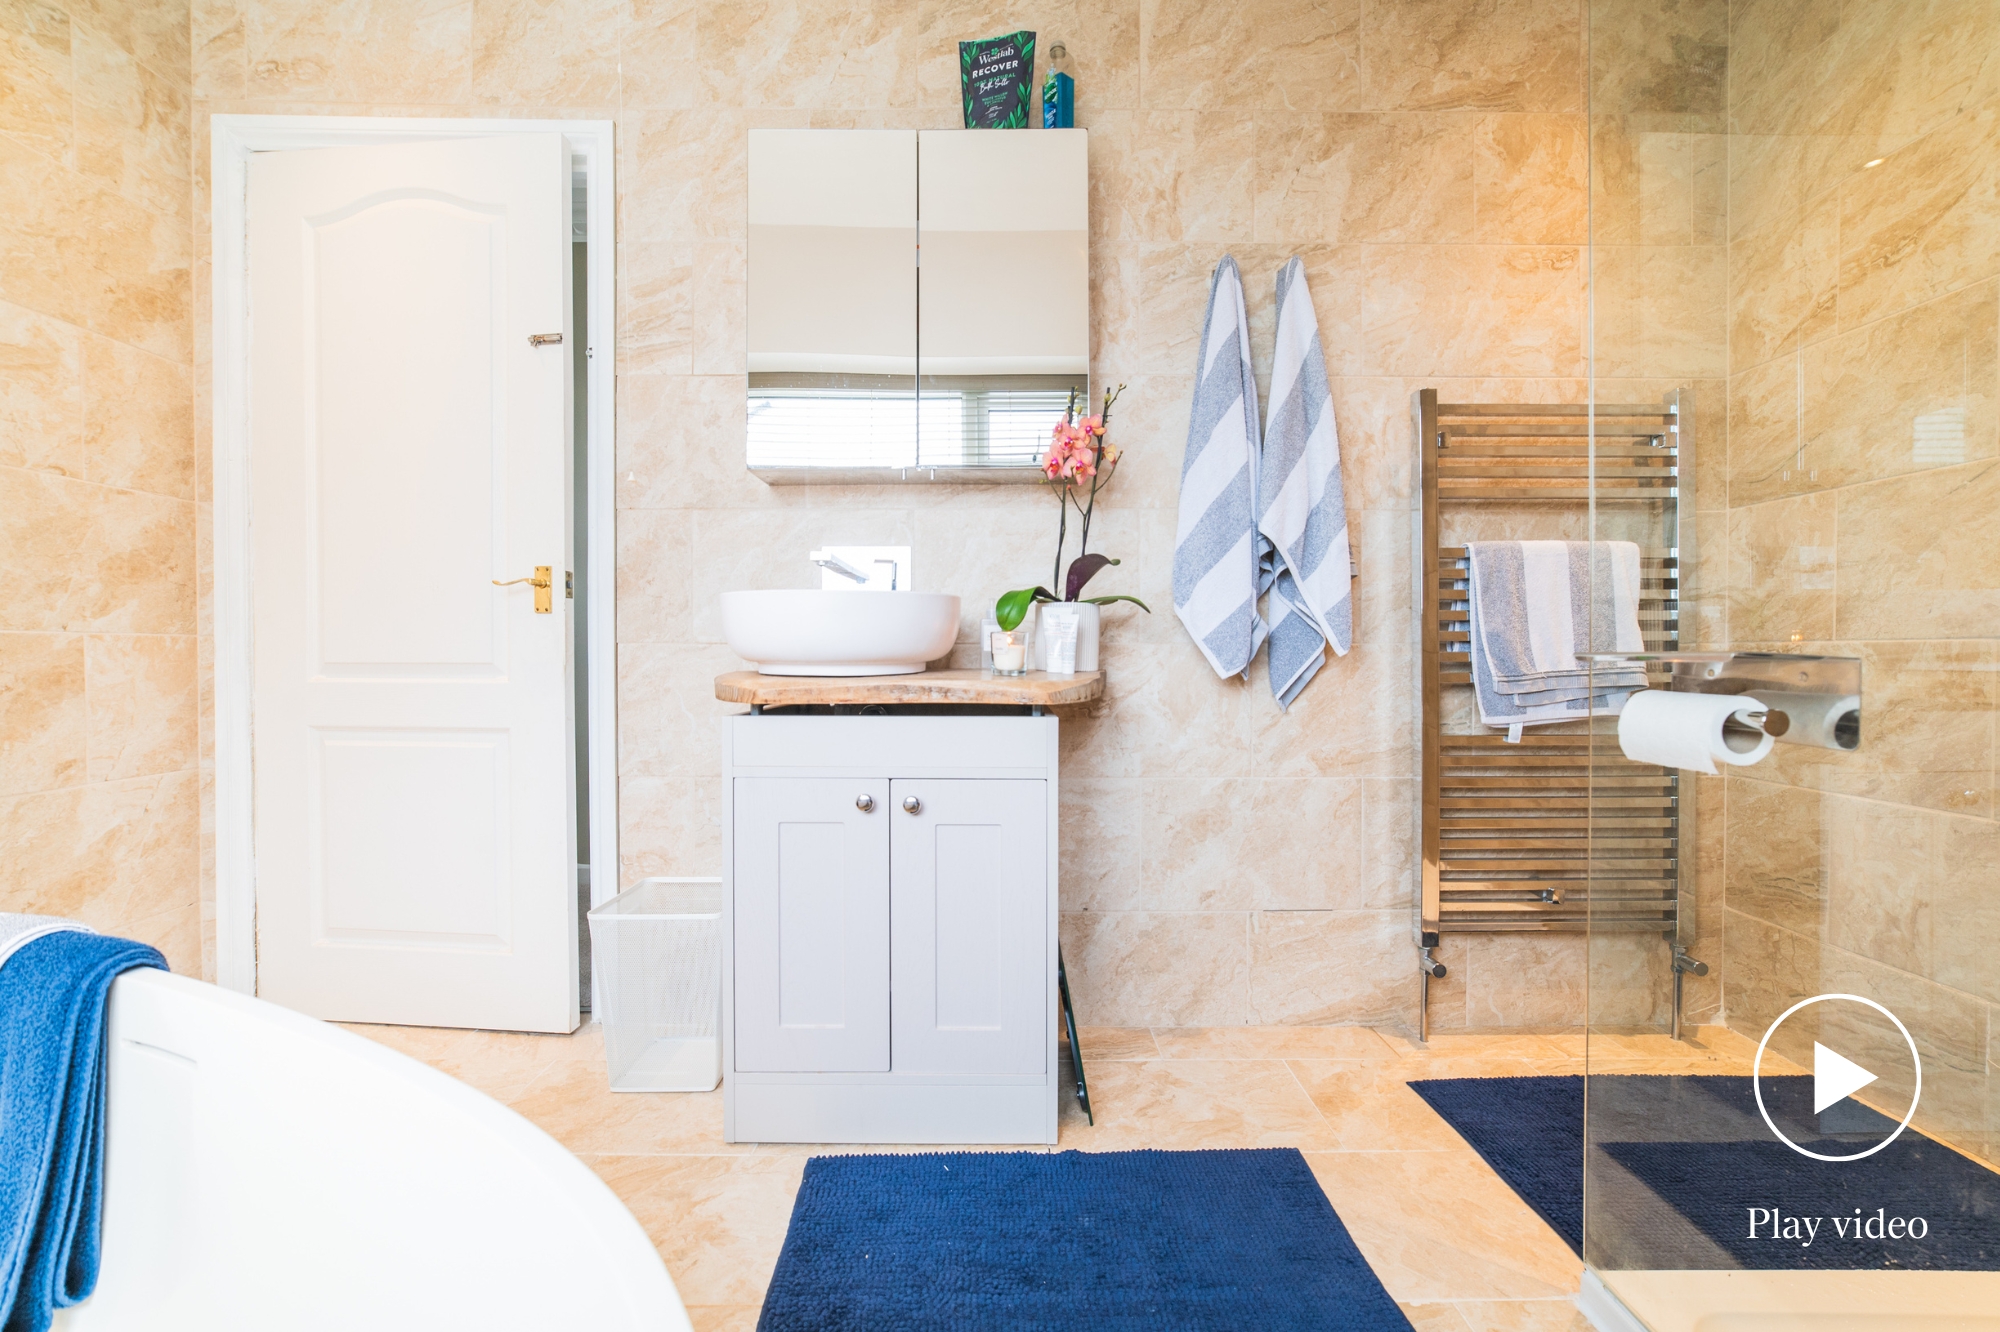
(1445, 1235)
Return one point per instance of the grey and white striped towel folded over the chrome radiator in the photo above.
(1537, 607)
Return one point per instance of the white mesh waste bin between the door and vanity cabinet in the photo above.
(657, 957)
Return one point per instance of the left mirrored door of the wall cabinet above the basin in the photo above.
(833, 301)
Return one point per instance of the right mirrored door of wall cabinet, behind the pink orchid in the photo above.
(1003, 293)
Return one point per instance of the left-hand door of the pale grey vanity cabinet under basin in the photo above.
(811, 925)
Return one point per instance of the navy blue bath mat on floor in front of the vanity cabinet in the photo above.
(1003, 1241)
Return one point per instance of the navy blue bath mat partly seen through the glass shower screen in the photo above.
(1683, 1167)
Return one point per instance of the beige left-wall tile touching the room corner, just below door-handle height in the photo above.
(143, 705)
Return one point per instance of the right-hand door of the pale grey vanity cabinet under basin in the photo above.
(969, 901)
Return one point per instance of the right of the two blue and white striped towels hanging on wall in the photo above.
(1303, 509)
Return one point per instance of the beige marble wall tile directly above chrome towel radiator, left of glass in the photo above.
(1475, 311)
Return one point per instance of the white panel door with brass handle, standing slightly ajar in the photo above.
(409, 447)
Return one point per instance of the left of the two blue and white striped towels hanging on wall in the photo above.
(1217, 547)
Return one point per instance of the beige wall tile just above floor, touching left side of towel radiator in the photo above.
(1331, 967)
